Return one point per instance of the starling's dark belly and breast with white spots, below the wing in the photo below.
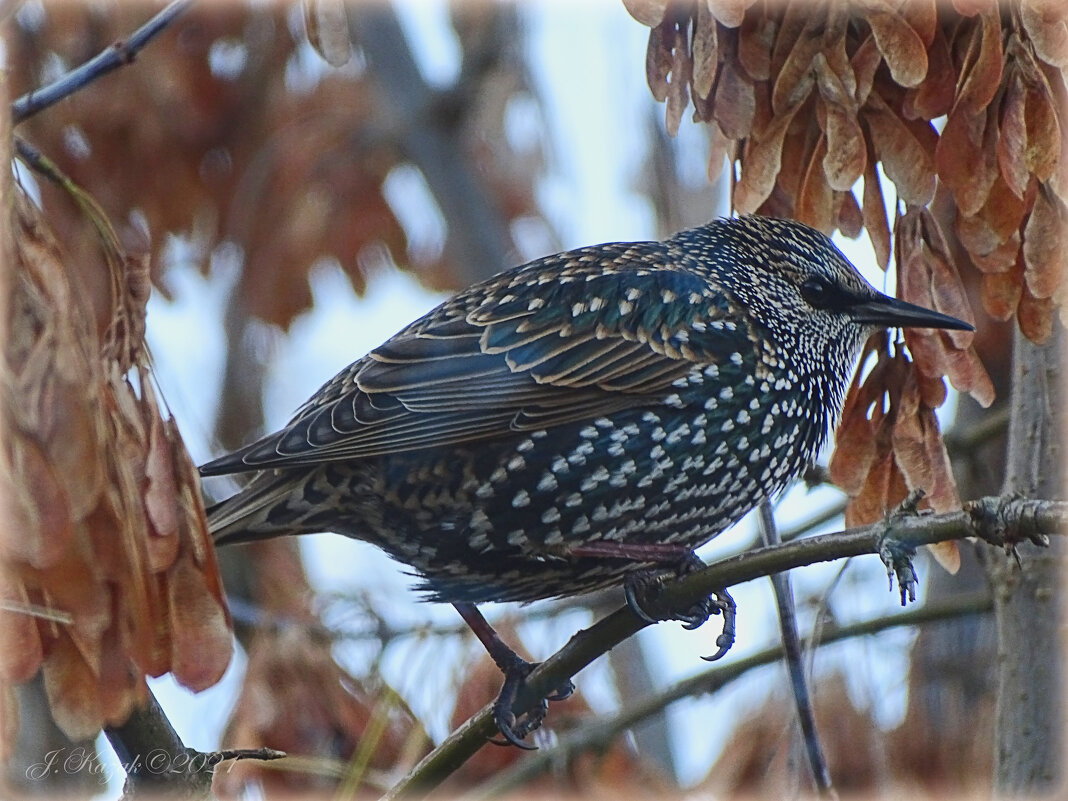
(679, 470)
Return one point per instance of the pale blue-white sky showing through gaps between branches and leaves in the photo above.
(598, 120)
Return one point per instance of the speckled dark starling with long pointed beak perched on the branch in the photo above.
(583, 421)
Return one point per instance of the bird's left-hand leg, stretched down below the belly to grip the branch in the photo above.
(516, 670)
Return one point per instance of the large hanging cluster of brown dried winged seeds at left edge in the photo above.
(107, 572)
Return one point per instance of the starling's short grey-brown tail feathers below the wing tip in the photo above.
(260, 511)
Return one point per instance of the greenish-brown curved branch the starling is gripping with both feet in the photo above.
(1002, 523)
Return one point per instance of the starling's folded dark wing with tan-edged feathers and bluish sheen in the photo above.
(510, 357)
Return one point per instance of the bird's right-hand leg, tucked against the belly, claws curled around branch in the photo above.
(648, 583)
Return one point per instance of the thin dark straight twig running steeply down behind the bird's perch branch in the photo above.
(795, 663)
